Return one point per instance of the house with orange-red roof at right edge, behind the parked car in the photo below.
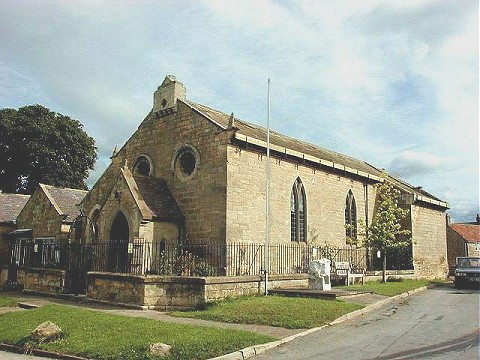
(463, 239)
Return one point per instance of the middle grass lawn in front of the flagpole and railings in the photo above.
(287, 312)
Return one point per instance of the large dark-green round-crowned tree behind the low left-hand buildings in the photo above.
(38, 145)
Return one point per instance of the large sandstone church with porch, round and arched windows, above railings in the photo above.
(194, 174)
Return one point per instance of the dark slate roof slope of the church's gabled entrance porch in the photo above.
(158, 198)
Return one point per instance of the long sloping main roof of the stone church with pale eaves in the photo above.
(290, 146)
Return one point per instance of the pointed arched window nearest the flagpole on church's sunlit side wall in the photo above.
(298, 213)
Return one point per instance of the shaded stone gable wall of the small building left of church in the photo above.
(40, 215)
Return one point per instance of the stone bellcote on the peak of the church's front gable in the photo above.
(165, 98)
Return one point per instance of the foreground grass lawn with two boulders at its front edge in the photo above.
(103, 336)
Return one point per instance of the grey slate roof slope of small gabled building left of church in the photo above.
(64, 200)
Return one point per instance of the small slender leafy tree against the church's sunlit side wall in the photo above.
(386, 232)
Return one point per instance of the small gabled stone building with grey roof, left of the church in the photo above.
(49, 212)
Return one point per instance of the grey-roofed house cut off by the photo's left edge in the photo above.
(10, 207)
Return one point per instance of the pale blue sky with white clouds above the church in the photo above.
(394, 83)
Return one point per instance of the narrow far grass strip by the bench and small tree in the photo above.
(390, 288)
